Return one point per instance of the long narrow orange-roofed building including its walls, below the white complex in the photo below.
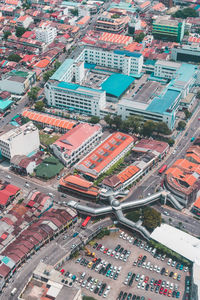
(48, 121)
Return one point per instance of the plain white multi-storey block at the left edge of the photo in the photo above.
(22, 140)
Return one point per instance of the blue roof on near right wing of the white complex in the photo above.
(161, 104)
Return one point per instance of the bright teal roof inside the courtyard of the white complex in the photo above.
(117, 84)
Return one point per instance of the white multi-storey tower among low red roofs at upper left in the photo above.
(45, 33)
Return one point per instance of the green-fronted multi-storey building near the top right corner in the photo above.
(168, 29)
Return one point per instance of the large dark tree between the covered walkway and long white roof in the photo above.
(151, 218)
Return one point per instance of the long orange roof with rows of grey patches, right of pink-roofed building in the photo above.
(98, 159)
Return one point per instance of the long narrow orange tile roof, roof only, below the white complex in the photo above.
(65, 124)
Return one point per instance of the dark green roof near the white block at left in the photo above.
(49, 168)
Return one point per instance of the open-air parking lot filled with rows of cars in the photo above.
(140, 265)
